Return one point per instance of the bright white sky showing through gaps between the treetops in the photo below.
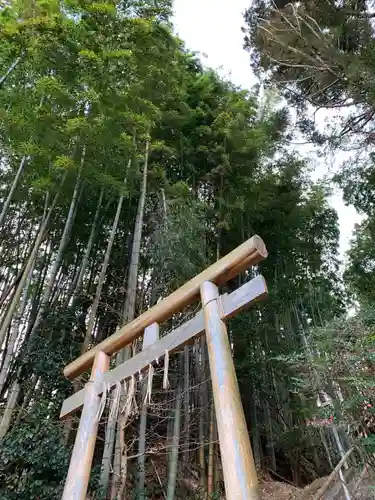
(213, 28)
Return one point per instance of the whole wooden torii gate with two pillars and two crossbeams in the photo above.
(240, 477)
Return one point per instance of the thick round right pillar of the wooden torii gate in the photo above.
(239, 470)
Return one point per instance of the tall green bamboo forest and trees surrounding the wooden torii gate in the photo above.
(127, 167)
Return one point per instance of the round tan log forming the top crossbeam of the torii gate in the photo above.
(251, 252)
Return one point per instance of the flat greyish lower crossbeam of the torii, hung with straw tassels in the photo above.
(247, 294)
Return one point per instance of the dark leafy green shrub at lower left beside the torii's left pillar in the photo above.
(33, 457)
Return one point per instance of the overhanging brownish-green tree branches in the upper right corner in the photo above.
(315, 52)
